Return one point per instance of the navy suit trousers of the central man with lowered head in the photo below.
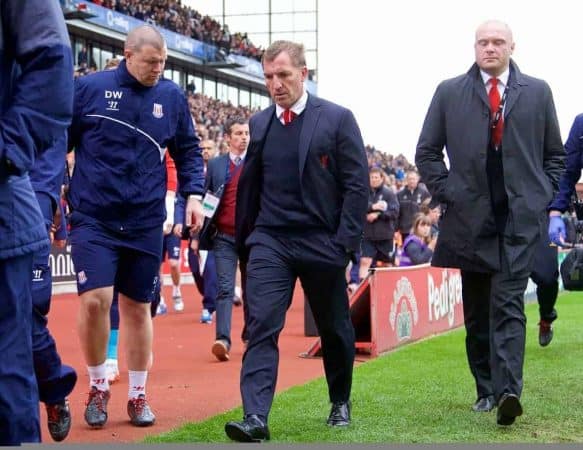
(275, 263)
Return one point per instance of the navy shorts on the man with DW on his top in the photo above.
(128, 261)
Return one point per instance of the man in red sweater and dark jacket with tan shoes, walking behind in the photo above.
(218, 235)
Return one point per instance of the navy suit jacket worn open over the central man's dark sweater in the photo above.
(332, 170)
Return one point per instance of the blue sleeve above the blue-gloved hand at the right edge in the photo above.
(568, 179)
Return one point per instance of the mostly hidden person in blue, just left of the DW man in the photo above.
(55, 380)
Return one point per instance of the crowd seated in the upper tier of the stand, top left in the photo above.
(170, 14)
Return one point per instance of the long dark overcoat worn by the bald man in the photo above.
(532, 157)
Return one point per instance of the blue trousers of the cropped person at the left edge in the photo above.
(19, 413)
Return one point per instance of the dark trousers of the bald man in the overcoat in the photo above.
(495, 328)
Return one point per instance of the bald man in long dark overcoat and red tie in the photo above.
(505, 151)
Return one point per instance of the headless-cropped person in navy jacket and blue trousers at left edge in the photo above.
(36, 90)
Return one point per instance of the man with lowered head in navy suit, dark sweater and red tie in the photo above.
(301, 204)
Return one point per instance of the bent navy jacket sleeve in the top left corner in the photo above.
(40, 107)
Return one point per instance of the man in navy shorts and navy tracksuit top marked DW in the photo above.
(124, 119)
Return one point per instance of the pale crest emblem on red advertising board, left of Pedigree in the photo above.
(404, 313)
